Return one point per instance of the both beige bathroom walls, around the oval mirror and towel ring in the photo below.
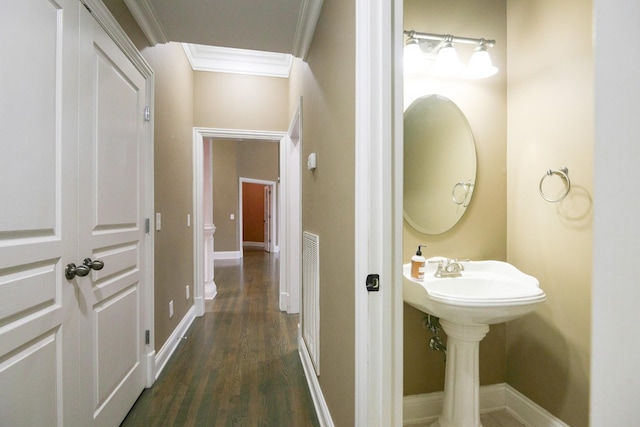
(550, 124)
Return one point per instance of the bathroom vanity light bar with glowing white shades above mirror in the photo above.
(445, 63)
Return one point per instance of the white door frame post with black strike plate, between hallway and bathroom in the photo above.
(378, 219)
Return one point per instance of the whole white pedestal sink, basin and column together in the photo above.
(486, 292)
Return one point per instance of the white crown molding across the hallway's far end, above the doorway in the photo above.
(238, 61)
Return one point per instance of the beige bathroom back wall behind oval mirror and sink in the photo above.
(481, 233)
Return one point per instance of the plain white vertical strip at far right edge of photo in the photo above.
(615, 377)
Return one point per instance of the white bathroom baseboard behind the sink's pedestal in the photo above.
(426, 408)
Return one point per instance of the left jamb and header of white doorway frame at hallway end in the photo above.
(198, 176)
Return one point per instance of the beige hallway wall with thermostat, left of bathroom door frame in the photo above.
(327, 84)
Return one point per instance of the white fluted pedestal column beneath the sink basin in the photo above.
(461, 407)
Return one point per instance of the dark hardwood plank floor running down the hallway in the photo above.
(238, 365)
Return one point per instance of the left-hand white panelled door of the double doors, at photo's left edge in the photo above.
(38, 218)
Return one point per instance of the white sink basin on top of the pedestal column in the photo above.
(488, 292)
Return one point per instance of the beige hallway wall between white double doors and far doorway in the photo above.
(173, 118)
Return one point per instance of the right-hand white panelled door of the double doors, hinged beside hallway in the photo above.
(111, 226)
